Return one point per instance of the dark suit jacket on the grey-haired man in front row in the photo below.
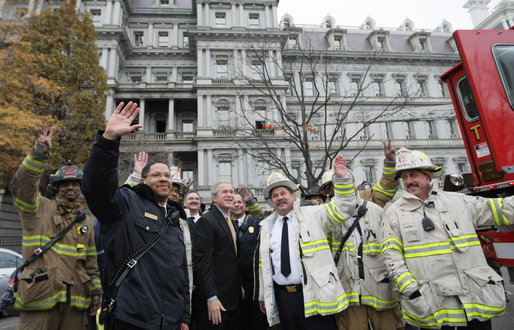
(215, 262)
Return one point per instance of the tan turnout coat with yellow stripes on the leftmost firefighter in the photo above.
(70, 264)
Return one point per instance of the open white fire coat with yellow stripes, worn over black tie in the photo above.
(322, 290)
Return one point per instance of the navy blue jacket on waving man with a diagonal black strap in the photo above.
(155, 294)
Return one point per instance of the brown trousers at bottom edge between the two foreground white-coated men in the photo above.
(357, 318)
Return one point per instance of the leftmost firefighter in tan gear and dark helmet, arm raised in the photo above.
(61, 285)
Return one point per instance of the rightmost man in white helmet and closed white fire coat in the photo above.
(432, 251)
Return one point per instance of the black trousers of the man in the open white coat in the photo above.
(291, 312)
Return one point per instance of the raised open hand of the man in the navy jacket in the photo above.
(119, 123)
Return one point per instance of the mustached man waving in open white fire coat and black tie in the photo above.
(298, 281)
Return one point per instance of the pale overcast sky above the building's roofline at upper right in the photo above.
(426, 14)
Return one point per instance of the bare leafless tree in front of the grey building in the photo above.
(298, 105)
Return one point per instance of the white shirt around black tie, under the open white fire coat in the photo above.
(275, 243)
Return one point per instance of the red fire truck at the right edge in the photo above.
(482, 92)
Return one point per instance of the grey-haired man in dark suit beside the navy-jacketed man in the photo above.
(217, 283)
